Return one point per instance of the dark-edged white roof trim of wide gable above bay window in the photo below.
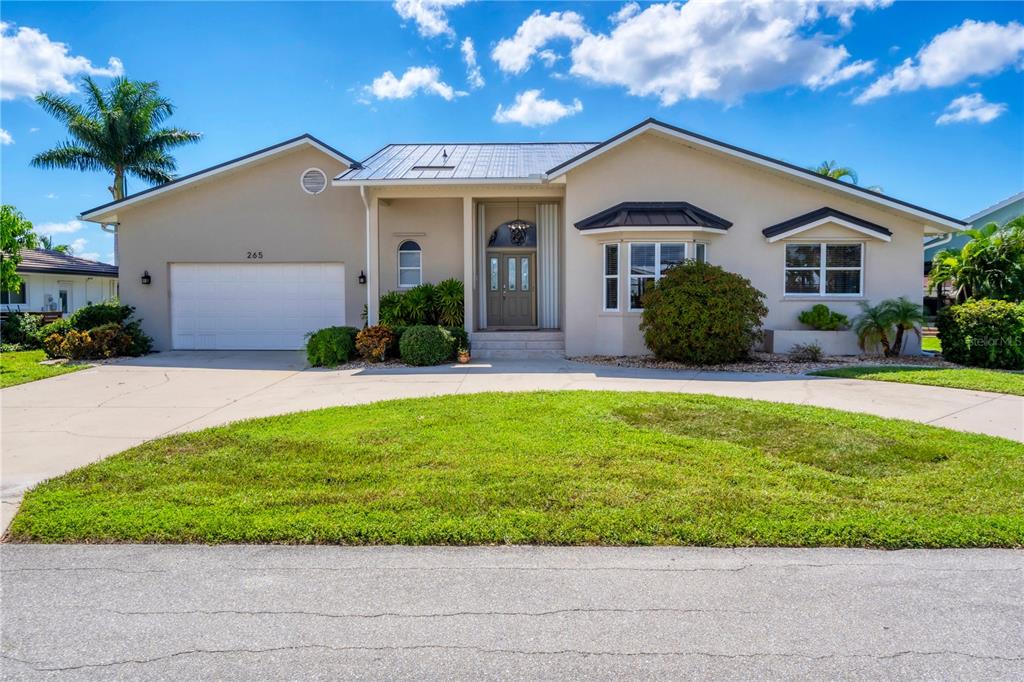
(804, 175)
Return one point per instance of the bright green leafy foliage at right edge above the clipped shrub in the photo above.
(990, 266)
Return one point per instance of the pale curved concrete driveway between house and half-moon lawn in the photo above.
(56, 425)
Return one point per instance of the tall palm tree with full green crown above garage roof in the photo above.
(118, 131)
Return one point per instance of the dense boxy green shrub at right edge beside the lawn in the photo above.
(984, 333)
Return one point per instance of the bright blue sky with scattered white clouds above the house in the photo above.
(925, 100)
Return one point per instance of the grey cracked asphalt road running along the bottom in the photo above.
(133, 612)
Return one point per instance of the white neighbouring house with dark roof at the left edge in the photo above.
(55, 282)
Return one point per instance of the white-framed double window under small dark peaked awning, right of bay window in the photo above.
(839, 274)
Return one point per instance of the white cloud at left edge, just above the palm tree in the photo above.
(32, 64)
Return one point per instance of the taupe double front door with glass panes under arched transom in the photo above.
(511, 289)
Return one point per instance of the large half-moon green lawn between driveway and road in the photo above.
(566, 468)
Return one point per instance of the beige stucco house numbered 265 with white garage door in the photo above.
(557, 242)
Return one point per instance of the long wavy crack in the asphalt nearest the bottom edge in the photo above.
(39, 667)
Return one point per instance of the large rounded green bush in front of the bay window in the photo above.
(702, 315)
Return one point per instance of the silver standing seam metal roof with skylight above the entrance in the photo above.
(464, 162)
